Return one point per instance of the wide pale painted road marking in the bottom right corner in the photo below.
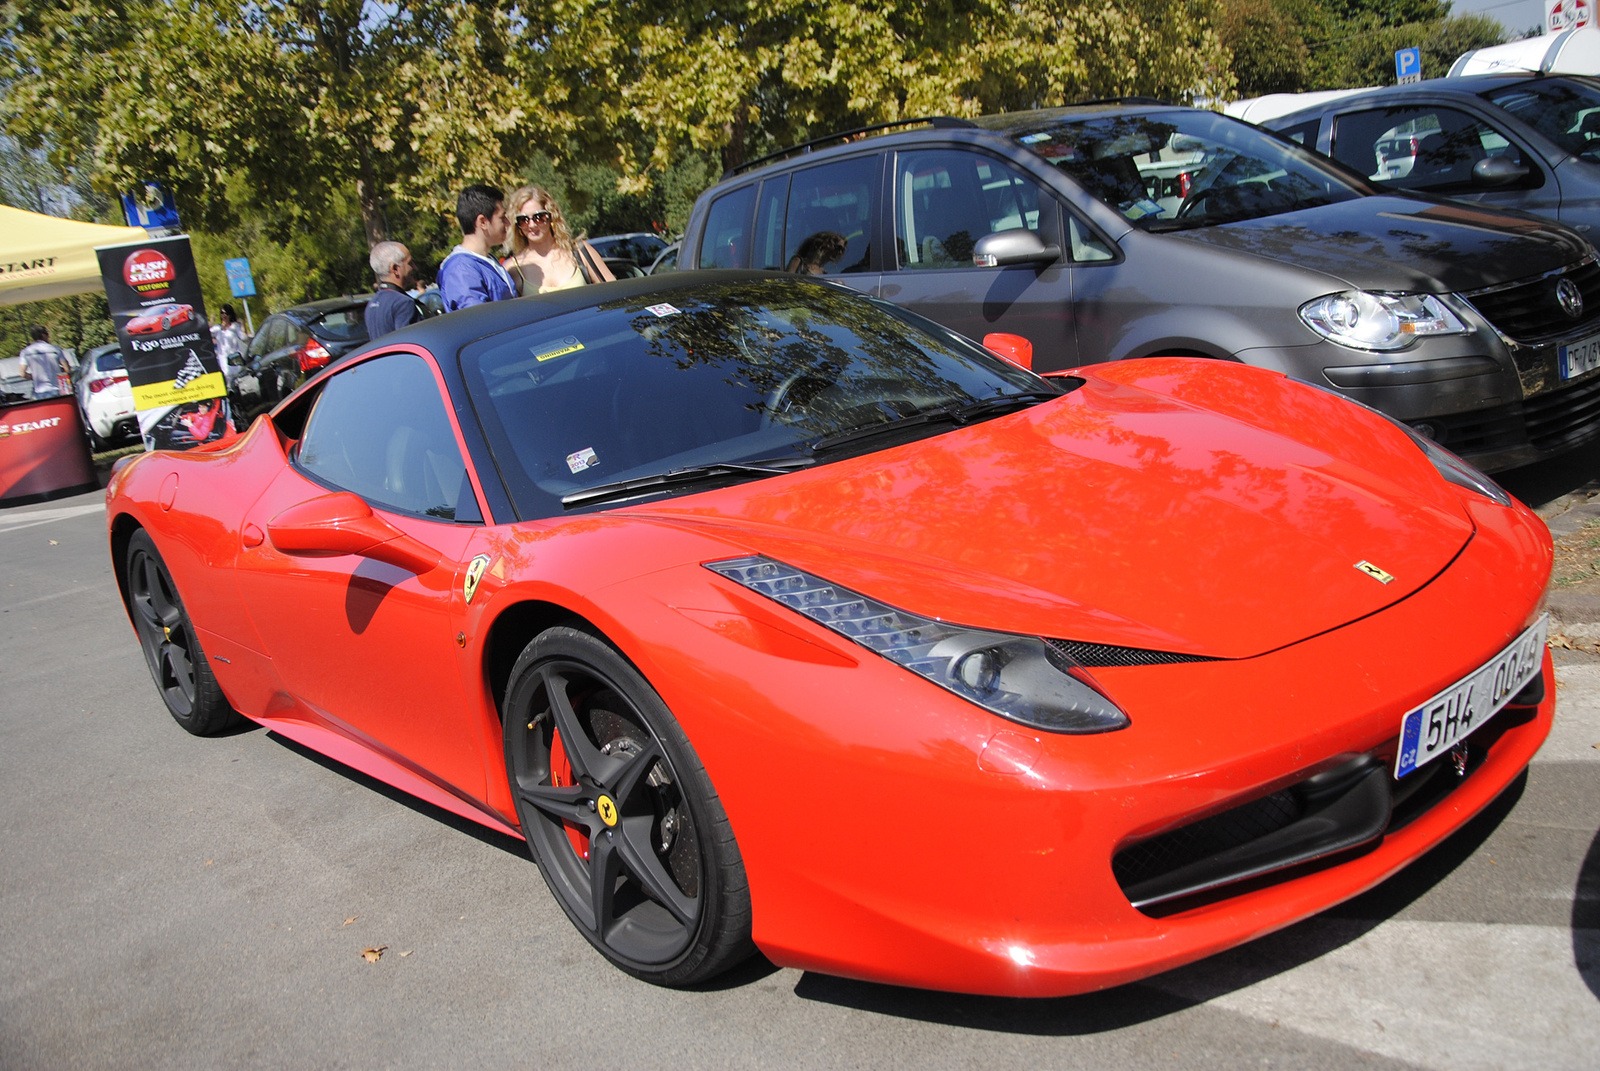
(1438, 995)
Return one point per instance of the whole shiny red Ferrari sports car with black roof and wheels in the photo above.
(780, 619)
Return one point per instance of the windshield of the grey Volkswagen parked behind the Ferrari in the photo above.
(1183, 169)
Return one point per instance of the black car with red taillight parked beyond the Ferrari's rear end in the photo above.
(290, 347)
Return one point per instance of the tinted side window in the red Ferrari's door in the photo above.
(382, 431)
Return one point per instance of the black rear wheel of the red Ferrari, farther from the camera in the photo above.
(170, 646)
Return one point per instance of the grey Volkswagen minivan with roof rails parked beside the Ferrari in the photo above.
(1130, 230)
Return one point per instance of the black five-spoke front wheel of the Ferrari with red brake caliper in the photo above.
(620, 814)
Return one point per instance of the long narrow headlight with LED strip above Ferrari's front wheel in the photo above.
(1020, 678)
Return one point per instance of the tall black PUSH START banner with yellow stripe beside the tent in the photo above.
(177, 380)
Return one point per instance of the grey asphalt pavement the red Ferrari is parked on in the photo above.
(169, 902)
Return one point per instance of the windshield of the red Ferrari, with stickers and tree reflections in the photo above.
(735, 372)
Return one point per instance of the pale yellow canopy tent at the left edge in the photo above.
(44, 257)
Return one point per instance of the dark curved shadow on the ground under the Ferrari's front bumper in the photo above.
(1206, 981)
